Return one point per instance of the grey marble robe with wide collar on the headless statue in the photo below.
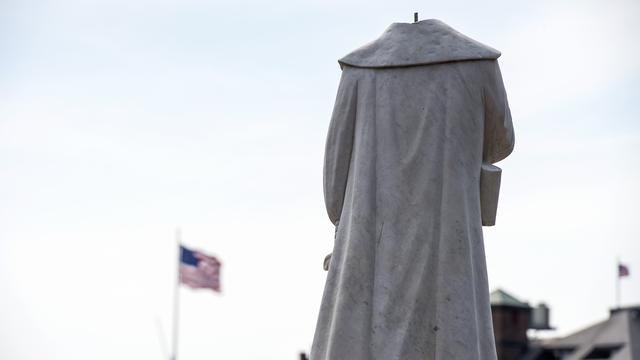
(418, 112)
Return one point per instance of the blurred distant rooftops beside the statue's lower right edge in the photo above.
(617, 338)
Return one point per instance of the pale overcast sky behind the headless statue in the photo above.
(121, 120)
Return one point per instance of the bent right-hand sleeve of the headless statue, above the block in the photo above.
(498, 128)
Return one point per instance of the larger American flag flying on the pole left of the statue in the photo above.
(198, 270)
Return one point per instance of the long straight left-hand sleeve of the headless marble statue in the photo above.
(337, 157)
